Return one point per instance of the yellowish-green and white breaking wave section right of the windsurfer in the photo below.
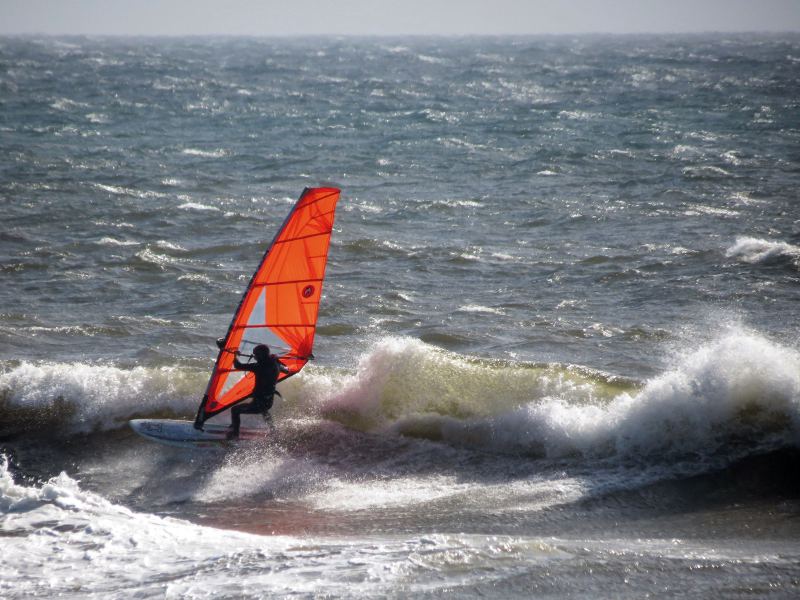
(738, 389)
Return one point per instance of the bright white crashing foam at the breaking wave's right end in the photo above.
(740, 386)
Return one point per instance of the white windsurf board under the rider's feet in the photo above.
(182, 434)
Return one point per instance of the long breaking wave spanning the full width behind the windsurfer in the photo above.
(738, 392)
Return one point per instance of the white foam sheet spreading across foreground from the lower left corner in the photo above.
(86, 541)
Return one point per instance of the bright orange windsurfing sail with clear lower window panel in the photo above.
(279, 307)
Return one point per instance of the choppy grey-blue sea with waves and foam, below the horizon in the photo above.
(557, 354)
